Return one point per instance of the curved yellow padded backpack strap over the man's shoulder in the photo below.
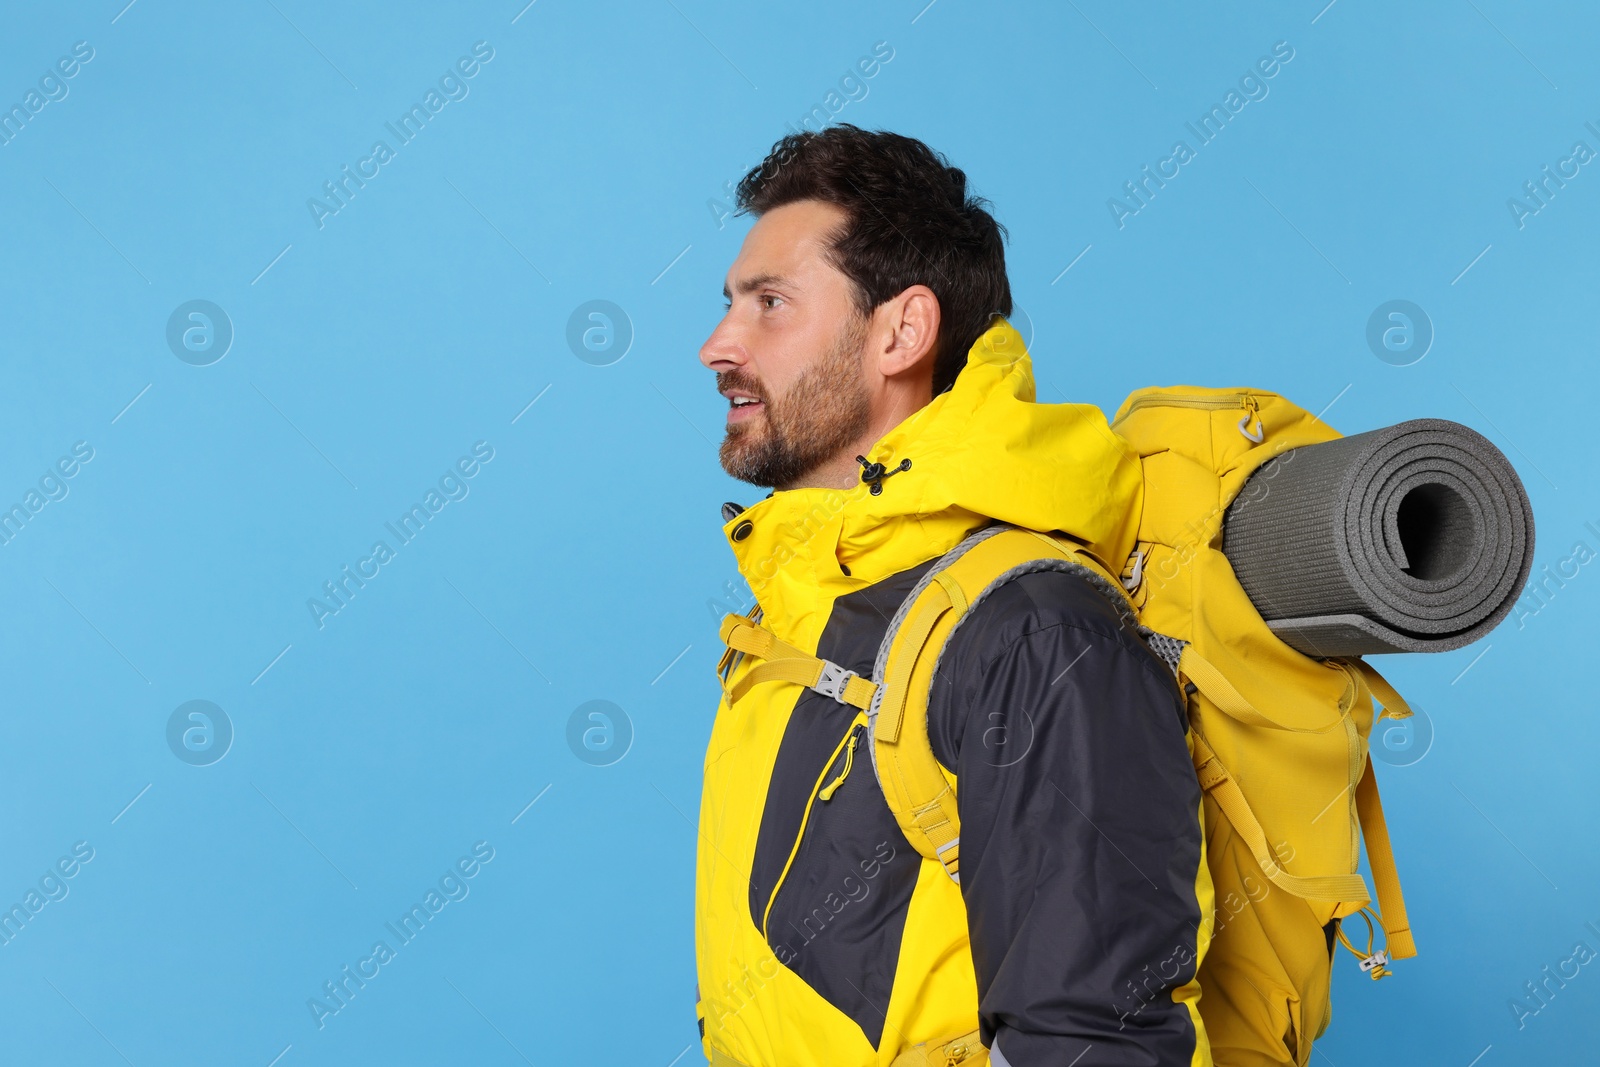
(919, 791)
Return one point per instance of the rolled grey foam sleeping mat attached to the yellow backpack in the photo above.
(1417, 538)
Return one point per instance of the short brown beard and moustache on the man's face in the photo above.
(825, 412)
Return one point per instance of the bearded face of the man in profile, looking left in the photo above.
(790, 351)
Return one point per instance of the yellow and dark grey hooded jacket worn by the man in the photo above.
(822, 937)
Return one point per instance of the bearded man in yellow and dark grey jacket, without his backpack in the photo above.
(876, 388)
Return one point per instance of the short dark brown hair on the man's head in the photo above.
(911, 223)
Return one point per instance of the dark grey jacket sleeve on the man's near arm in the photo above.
(1081, 842)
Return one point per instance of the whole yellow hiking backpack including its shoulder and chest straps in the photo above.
(1279, 740)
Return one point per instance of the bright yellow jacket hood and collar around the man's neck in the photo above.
(983, 450)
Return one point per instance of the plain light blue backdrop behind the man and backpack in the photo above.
(426, 316)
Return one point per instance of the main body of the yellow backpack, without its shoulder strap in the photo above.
(1279, 738)
